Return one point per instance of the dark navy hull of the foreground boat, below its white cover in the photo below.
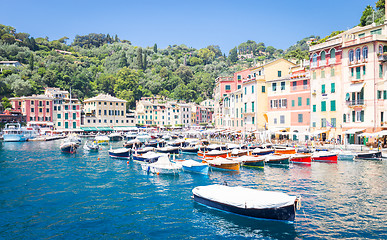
(286, 213)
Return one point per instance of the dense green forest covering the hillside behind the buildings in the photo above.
(103, 63)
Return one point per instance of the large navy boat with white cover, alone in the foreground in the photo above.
(248, 202)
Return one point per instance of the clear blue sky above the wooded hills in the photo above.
(196, 23)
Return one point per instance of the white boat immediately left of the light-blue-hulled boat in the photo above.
(162, 166)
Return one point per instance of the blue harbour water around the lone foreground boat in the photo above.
(47, 194)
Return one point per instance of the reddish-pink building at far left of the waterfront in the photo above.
(37, 108)
